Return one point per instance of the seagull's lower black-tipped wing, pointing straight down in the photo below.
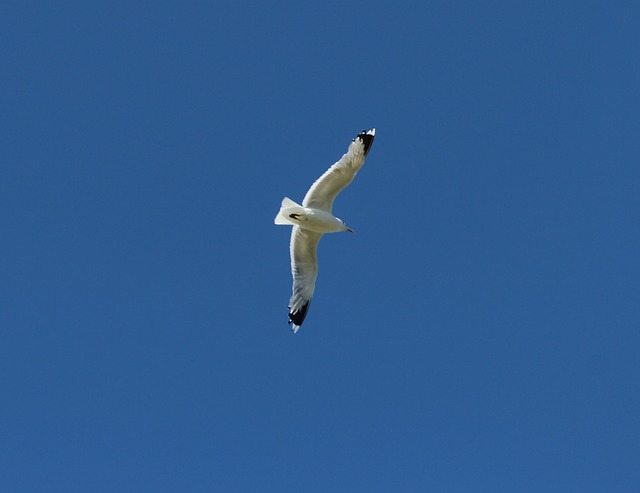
(304, 269)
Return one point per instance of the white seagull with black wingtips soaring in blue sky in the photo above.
(314, 218)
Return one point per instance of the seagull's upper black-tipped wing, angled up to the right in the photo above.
(325, 189)
